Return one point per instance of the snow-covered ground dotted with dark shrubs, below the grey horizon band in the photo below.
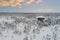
(24, 28)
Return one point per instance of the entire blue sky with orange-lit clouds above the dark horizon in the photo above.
(29, 5)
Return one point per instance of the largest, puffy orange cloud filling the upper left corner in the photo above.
(12, 3)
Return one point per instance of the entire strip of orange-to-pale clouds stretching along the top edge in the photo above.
(15, 3)
